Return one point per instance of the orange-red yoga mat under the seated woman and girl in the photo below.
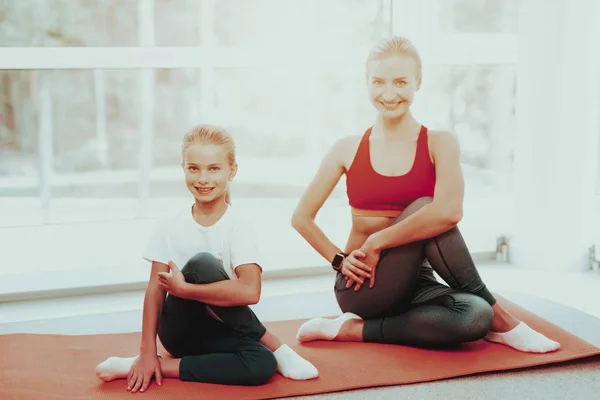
(62, 366)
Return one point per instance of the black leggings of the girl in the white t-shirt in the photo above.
(212, 351)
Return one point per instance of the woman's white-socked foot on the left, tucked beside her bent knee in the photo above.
(346, 327)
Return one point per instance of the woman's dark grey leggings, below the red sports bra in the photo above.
(408, 306)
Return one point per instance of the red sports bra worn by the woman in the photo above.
(373, 194)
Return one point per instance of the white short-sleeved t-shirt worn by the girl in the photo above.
(179, 237)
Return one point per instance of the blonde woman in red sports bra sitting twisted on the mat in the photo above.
(405, 189)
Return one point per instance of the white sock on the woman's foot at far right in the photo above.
(523, 338)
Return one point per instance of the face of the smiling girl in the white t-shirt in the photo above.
(207, 171)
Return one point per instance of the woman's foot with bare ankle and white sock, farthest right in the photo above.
(509, 331)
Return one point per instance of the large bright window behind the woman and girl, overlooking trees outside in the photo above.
(95, 97)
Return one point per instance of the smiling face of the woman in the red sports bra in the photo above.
(392, 83)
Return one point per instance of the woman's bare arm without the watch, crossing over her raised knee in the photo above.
(440, 215)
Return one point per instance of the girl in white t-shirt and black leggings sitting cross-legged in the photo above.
(205, 322)
